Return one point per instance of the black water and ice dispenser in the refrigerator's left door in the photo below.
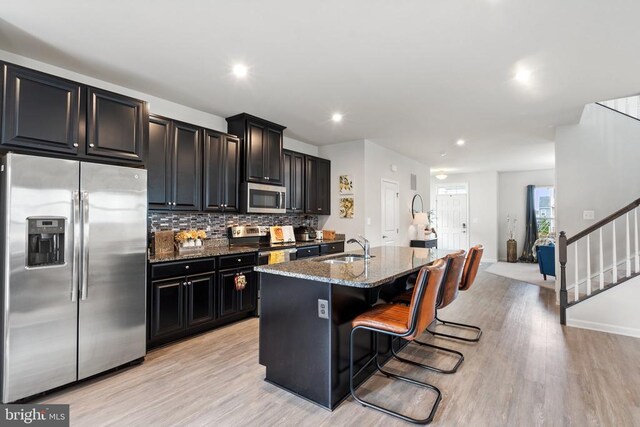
(45, 245)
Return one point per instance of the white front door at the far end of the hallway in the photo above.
(453, 224)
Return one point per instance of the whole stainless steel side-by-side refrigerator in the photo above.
(73, 271)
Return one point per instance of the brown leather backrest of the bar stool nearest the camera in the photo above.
(422, 310)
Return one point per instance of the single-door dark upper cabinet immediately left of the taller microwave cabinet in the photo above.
(221, 171)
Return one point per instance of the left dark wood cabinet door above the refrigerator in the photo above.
(42, 112)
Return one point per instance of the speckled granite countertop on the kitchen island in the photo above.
(388, 263)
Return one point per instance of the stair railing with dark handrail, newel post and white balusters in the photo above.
(603, 256)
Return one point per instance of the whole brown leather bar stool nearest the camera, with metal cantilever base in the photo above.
(401, 321)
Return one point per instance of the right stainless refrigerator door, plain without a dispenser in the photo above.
(113, 279)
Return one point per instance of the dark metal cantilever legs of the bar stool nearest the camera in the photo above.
(388, 375)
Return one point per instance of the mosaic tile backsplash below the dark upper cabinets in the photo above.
(216, 223)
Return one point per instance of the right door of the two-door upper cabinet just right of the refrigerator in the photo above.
(186, 167)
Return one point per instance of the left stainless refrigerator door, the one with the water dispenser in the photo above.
(40, 314)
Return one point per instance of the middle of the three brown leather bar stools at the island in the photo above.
(454, 264)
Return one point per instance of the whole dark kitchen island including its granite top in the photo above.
(306, 314)
